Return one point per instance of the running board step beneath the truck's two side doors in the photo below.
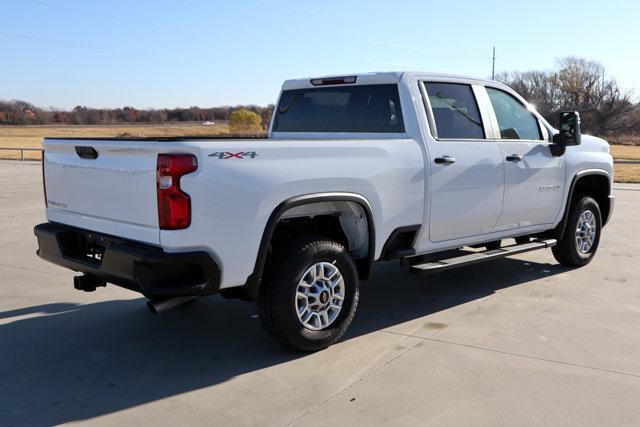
(478, 257)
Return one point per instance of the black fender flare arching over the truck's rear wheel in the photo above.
(252, 285)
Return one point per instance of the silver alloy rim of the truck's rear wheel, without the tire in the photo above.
(319, 296)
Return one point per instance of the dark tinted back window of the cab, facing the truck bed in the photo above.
(366, 108)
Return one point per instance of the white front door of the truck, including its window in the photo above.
(534, 177)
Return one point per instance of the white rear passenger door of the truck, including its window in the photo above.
(466, 168)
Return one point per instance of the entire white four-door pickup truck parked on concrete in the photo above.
(356, 169)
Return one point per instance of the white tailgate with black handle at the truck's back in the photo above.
(113, 193)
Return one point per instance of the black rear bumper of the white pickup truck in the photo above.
(132, 265)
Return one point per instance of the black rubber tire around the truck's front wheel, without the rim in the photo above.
(566, 251)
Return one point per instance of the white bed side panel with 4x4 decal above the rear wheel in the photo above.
(233, 198)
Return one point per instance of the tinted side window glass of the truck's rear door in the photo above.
(455, 111)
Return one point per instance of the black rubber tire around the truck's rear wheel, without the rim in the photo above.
(276, 303)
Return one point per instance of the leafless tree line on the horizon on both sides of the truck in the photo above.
(575, 84)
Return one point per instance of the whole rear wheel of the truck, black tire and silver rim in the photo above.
(310, 299)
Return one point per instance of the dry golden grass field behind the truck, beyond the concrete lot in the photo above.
(31, 137)
